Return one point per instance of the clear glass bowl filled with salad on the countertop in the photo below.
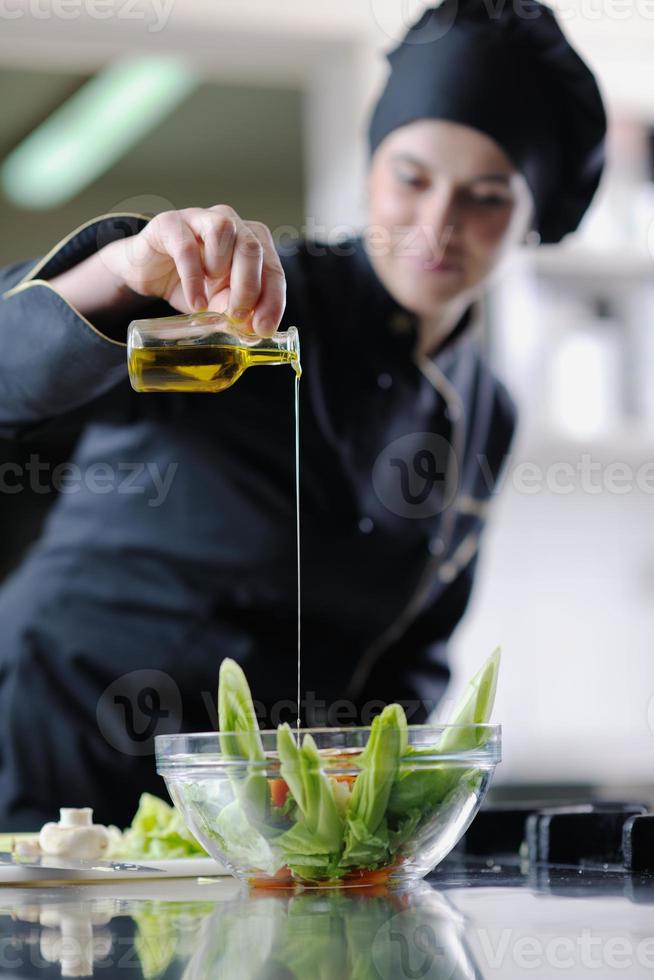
(382, 804)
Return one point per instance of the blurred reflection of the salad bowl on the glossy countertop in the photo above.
(333, 935)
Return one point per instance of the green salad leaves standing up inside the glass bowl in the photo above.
(318, 822)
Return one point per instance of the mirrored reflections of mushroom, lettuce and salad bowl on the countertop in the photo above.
(232, 933)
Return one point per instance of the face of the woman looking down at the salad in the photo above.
(445, 203)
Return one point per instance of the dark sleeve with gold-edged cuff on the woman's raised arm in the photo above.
(52, 359)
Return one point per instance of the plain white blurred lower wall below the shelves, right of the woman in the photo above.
(566, 586)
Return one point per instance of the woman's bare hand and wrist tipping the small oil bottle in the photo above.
(196, 258)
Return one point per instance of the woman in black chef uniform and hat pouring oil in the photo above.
(172, 543)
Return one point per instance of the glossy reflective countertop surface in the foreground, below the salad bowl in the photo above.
(470, 919)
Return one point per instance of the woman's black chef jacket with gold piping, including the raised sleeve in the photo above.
(172, 541)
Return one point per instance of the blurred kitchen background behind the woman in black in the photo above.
(110, 105)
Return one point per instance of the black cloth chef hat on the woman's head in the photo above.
(506, 69)
